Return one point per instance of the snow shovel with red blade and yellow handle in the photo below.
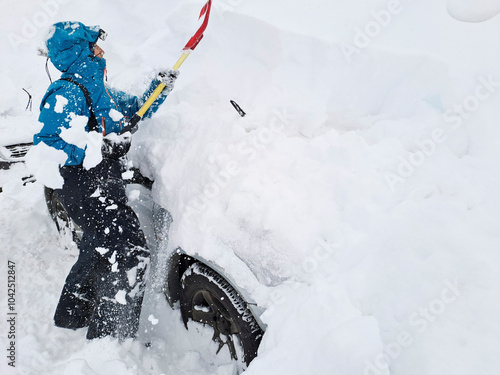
(188, 48)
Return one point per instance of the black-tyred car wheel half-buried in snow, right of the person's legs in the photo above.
(206, 297)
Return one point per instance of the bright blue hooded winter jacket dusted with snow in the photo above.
(70, 50)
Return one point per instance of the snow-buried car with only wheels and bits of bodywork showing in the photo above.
(198, 288)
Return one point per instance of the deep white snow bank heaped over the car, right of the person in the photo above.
(364, 194)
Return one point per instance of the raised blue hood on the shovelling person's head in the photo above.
(69, 43)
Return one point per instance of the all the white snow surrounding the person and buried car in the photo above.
(357, 201)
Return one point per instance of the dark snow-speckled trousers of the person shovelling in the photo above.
(105, 287)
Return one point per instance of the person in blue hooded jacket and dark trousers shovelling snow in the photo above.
(105, 287)
